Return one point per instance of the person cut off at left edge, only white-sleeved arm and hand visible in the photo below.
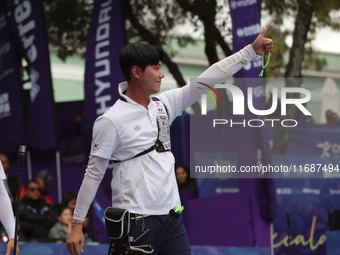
(6, 213)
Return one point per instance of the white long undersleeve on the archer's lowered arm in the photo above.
(92, 178)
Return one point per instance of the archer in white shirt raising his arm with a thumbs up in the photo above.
(134, 133)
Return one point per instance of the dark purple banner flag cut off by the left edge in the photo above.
(11, 118)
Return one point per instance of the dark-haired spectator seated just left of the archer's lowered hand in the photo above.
(62, 228)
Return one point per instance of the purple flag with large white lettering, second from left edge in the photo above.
(30, 34)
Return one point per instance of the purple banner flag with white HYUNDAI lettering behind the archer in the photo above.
(102, 71)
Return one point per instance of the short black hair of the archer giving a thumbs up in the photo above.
(139, 54)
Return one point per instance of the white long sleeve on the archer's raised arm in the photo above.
(216, 74)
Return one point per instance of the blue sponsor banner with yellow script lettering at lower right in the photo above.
(313, 151)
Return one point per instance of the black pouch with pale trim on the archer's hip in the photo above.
(117, 222)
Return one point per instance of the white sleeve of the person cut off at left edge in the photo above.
(6, 213)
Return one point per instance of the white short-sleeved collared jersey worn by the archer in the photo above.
(146, 184)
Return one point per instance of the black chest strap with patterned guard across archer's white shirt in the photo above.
(162, 143)
